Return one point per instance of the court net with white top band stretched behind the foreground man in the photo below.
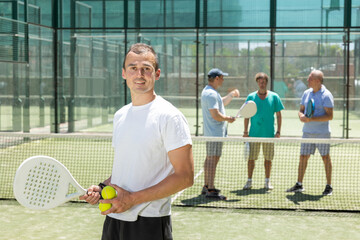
(89, 158)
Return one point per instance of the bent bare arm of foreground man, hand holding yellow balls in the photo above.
(183, 177)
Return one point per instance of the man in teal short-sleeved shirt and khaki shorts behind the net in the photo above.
(263, 125)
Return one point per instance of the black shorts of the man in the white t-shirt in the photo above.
(144, 228)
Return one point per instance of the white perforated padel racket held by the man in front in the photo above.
(42, 183)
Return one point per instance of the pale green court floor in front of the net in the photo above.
(77, 221)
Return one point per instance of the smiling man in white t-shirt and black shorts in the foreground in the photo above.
(153, 156)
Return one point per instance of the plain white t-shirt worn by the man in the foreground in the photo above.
(142, 137)
